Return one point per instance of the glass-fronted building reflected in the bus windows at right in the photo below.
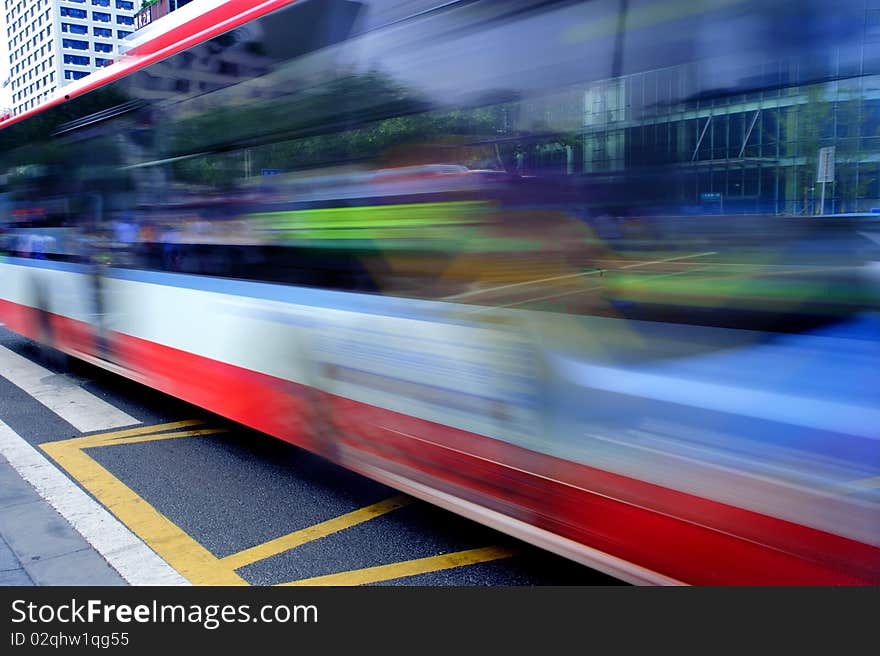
(749, 151)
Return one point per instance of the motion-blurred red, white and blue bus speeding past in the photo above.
(601, 274)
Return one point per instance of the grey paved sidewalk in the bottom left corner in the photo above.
(38, 547)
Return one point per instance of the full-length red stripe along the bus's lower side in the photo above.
(686, 537)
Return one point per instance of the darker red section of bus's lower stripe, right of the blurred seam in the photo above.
(684, 536)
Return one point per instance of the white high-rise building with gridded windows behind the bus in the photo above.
(52, 42)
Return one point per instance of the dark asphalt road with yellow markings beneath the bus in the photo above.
(233, 502)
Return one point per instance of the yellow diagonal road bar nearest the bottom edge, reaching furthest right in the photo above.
(408, 568)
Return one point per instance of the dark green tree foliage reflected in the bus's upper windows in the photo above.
(355, 118)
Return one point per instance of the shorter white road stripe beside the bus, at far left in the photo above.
(82, 410)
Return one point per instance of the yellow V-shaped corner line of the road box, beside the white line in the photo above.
(176, 547)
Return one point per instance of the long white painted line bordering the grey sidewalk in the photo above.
(122, 549)
